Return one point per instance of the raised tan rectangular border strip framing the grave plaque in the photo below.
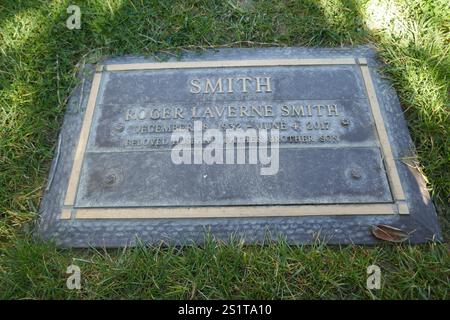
(398, 206)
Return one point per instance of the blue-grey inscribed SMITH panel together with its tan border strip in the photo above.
(334, 153)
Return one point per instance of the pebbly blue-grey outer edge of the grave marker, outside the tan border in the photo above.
(421, 222)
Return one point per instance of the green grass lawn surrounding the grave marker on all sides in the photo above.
(39, 57)
